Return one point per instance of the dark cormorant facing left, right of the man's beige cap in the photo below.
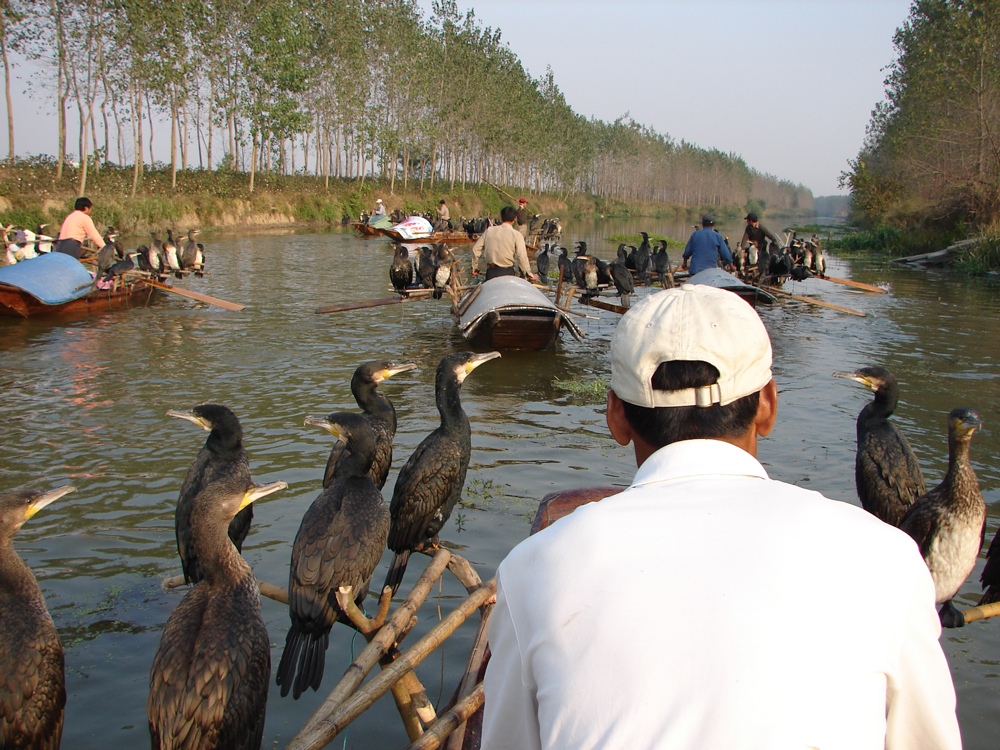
(886, 473)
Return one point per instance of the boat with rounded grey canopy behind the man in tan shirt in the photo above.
(509, 313)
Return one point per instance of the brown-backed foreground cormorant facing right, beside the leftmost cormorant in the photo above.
(209, 679)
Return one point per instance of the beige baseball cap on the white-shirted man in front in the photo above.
(693, 323)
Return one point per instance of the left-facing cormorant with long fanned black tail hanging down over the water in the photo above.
(339, 543)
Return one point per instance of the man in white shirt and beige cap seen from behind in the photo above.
(707, 605)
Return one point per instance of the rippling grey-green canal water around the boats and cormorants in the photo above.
(84, 401)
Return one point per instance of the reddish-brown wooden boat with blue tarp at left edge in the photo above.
(57, 284)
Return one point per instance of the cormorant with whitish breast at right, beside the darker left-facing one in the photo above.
(948, 522)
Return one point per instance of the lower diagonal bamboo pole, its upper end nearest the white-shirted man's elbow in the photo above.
(318, 734)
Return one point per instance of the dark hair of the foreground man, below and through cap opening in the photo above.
(664, 425)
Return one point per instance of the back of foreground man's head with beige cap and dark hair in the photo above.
(689, 363)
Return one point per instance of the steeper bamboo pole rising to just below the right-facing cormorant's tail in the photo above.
(376, 648)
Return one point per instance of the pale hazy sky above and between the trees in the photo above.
(787, 84)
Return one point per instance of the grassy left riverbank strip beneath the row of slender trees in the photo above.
(30, 194)
